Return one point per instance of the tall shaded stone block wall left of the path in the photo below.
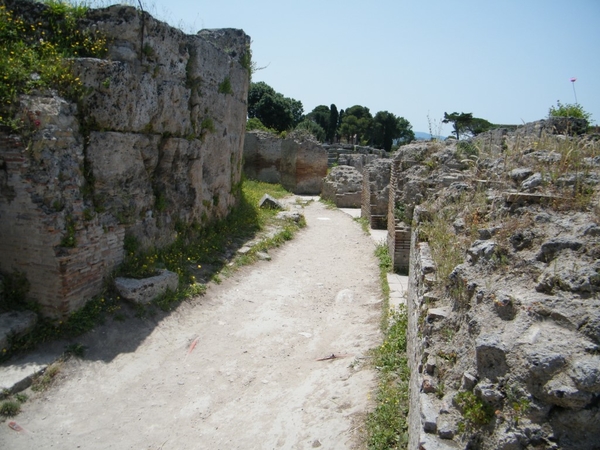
(156, 141)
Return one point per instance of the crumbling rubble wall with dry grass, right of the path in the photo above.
(504, 294)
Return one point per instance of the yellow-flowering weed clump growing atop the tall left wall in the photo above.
(36, 55)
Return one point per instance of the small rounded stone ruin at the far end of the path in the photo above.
(343, 186)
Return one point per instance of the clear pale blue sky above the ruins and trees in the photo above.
(505, 61)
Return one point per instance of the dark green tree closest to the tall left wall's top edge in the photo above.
(272, 108)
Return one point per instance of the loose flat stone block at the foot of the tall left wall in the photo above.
(145, 290)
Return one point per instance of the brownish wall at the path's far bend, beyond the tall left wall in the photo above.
(298, 163)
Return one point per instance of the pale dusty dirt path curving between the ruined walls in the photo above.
(252, 381)
